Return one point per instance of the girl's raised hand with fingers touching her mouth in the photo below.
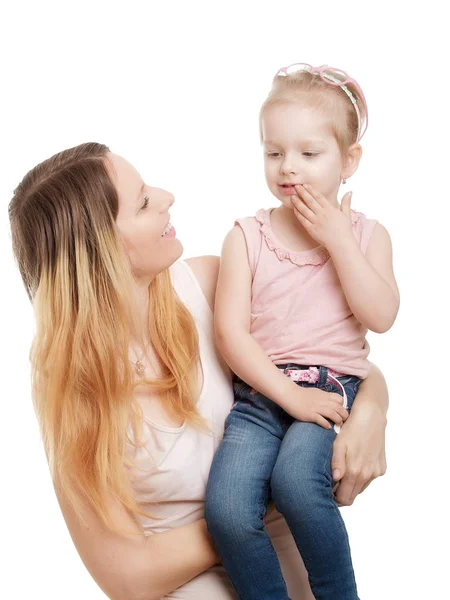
(324, 222)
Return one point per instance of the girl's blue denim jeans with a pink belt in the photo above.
(266, 453)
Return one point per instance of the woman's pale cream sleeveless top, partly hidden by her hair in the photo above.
(174, 463)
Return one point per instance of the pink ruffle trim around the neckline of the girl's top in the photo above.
(315, 256)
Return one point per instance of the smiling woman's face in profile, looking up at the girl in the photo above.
(143, 220)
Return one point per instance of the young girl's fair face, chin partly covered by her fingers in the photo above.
(299, 147)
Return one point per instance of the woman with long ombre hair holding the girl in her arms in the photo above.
(129, 391)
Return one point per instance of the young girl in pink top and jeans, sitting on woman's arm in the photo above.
(291, 319)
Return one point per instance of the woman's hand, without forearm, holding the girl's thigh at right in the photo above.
(358, 453)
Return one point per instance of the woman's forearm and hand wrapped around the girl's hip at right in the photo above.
(359, 449)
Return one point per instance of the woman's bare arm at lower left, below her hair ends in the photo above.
(133, 567)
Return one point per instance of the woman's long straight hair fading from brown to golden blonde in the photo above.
(79, 279)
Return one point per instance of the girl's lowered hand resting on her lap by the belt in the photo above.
(316, 406)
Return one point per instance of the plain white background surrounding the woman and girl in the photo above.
(176, 89)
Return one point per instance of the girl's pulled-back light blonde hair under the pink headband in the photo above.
(312, 91)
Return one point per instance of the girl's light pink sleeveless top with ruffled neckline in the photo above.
(299, 312)
